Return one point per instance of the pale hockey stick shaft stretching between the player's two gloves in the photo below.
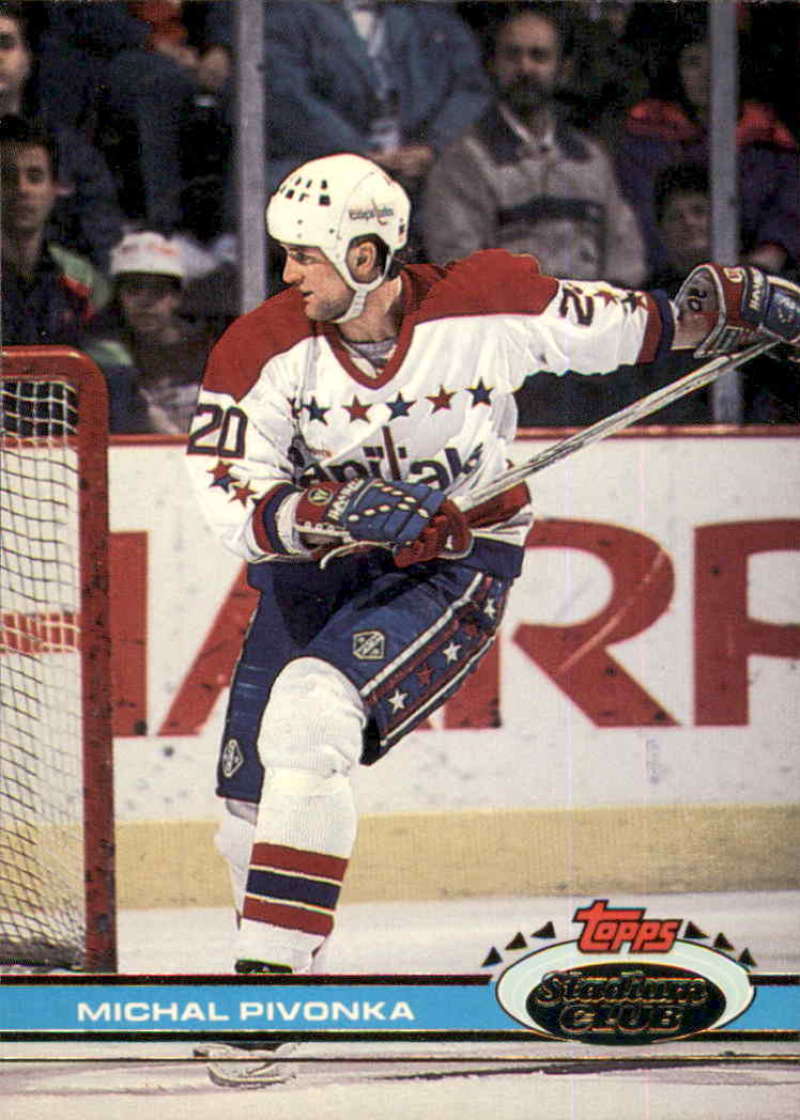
(617, 422)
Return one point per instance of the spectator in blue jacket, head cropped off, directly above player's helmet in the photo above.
(394, 82)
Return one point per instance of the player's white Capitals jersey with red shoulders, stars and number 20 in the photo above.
(286, 403)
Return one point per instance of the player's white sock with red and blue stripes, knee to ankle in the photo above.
(310, 740)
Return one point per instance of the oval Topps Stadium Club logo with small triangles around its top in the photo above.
(627, 981)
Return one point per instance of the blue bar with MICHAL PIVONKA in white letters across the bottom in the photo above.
(359, 1007)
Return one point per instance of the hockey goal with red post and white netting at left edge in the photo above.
(57, 842)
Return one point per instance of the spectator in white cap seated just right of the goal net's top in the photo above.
(153, 357)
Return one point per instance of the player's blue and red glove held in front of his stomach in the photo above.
(373, 510)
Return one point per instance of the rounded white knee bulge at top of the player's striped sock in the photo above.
(314, 721)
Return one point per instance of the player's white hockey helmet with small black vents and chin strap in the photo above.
(329, 202)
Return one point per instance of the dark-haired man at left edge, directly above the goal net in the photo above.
(49, 293)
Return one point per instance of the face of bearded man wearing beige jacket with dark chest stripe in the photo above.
(526, 62)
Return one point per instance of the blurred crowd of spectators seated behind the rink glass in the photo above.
(576, 132)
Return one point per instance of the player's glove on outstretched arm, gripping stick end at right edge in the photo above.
(740, 305)
